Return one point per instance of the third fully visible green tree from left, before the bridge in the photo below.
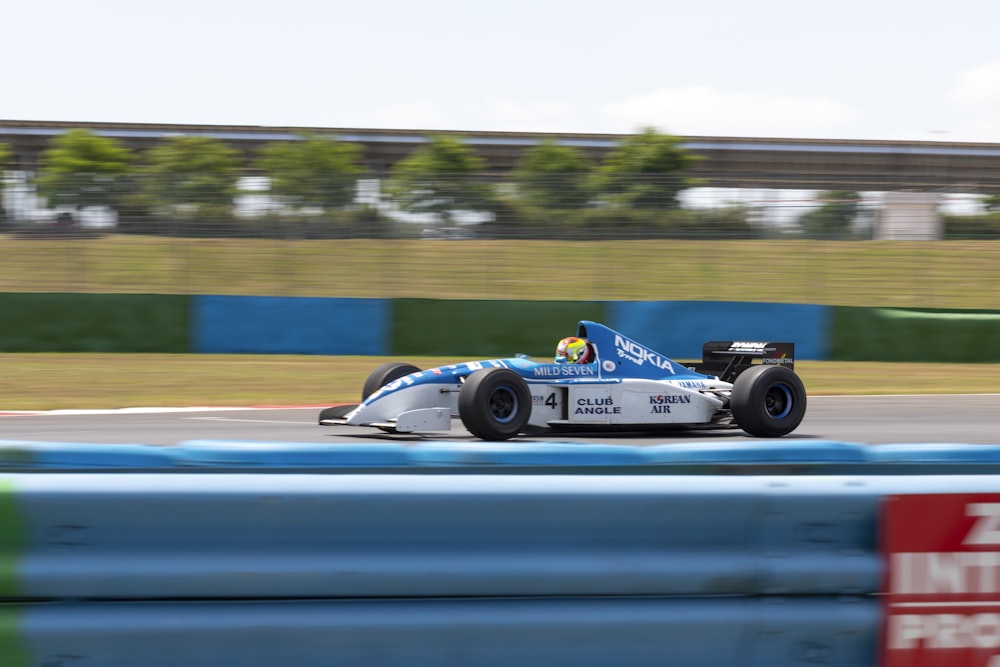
(315, 171)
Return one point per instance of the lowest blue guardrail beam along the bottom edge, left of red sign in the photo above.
(579, 632)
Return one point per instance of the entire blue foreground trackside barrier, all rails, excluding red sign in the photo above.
(167, 567)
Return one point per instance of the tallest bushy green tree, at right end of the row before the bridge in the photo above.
(647, 170)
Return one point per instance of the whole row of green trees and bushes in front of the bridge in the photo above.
(190, 182)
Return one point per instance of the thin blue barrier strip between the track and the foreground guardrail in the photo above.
(786, 456)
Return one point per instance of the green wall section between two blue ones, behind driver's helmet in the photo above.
(485, 328)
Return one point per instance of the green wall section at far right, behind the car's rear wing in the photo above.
(889, 334)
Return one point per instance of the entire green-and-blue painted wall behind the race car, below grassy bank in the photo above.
(479, 329)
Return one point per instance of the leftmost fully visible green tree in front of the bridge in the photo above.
(83, 169)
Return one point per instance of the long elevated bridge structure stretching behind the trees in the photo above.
(726, 162)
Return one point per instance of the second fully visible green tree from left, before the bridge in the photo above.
(193, 172)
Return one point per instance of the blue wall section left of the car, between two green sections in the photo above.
(290, 325)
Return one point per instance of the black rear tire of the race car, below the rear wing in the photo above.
(768, 401)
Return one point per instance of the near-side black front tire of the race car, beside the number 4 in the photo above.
(494, 403)
